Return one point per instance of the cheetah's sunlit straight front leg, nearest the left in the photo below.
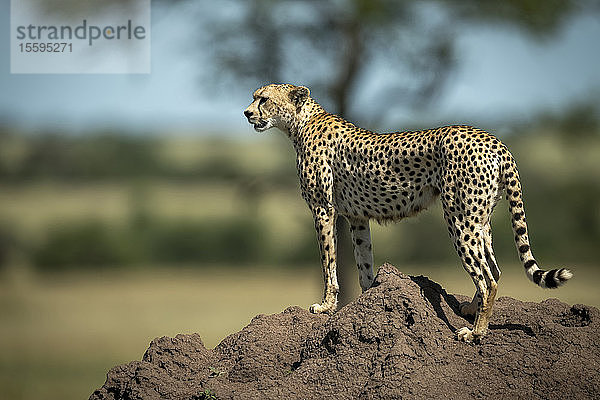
(325, 226)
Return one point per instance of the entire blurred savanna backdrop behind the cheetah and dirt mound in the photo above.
(137, 206)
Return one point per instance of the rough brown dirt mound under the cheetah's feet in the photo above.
(395, 341)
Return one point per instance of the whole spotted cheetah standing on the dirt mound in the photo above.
(352, 172)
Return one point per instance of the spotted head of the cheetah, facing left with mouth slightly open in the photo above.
(276, 105)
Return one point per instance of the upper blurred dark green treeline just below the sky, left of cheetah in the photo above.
(111, 156)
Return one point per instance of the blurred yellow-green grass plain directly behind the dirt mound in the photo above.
(61, 333)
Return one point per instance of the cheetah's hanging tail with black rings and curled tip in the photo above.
(545, 279)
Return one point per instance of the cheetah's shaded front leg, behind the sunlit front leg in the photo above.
(363, 250)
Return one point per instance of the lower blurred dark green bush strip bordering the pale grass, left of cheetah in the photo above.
(93, 243)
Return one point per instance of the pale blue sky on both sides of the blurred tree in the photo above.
(501, 75)
